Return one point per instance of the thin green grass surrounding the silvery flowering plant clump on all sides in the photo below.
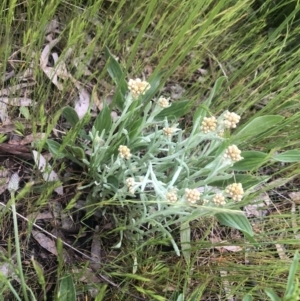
(193, 43)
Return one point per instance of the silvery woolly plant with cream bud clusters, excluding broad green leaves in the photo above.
(163, 170)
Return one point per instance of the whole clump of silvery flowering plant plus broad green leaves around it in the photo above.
(164, 175)
